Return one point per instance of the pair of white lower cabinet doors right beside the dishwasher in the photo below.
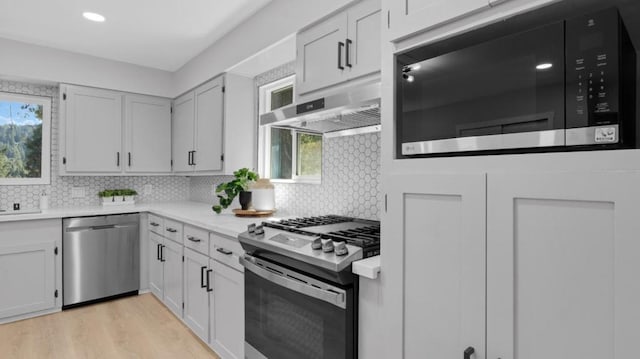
(165, 271)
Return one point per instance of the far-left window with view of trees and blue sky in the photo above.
(25, 123)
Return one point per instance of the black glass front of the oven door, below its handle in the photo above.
(281, 323)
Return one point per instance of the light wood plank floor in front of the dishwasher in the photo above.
(133, 327)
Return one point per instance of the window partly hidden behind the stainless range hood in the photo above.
(284, 154)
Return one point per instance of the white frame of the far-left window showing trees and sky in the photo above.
(45, 160)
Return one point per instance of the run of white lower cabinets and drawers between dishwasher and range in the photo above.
(201, 281)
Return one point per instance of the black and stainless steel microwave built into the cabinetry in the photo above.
(537, 81)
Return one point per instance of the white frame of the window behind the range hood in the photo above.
(264, 136)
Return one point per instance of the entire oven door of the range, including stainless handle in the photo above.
(290, 316)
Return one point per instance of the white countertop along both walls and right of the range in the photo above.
(193, 213)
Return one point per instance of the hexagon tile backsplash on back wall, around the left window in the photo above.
(164, 188)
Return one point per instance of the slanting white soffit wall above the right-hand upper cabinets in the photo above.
(272, 23)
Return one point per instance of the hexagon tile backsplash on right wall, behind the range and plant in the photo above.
(350, 182)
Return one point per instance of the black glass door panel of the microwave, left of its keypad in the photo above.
(510, 84)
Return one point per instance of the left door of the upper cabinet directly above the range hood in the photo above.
(320, 52)
